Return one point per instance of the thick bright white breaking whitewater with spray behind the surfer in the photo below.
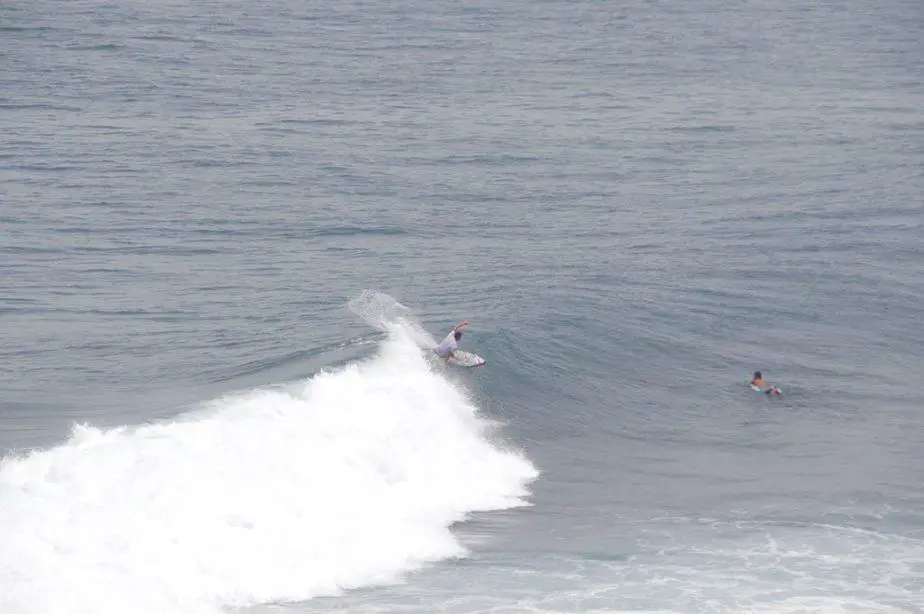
(353, 477)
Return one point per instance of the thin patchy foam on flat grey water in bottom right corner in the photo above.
(680, 566)
